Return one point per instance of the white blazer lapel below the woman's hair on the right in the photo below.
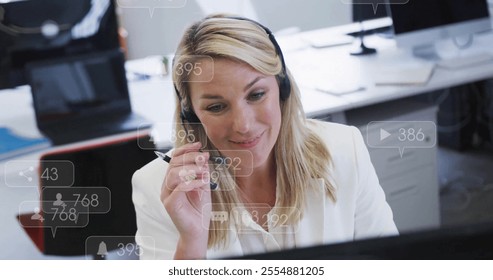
(310, 230)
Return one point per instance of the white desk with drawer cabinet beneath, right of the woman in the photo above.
(410, 181)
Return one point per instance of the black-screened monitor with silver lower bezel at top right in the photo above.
(419, 23)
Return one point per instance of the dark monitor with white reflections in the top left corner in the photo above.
(35, 30)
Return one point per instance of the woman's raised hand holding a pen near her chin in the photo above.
(186, 195)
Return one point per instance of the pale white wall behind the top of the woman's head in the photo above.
(159, 34)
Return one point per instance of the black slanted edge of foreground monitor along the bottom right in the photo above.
(469, 242)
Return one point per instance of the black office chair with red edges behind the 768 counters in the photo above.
(101, 172)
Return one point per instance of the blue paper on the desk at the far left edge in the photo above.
(12, 145)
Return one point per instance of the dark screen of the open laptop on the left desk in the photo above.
(78, 87)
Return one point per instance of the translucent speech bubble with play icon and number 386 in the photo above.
(401, 134)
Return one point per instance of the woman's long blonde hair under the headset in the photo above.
(299, 153)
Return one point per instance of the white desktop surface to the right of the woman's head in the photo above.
(308, 64)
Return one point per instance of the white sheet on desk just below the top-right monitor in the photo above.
(410, 74)
